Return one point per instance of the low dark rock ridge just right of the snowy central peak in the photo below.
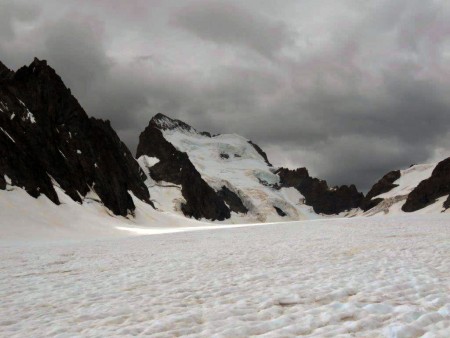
(317, 194)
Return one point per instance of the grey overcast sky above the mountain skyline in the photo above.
(350, 89)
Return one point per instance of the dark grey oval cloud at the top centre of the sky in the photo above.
(225, 22)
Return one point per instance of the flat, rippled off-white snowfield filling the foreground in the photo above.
(360, 277)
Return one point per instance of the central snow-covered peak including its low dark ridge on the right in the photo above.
(226, 175)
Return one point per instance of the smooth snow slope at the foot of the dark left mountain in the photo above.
(24, 218)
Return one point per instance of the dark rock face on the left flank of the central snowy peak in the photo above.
(174, 166)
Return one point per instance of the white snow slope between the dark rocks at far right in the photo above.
(394, 199)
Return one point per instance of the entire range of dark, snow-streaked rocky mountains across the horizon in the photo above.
(49, 146)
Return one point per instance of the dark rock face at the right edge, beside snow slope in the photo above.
(429, 190)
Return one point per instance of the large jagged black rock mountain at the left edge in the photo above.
(47, 135)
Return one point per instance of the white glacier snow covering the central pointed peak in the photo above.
(230, 160)
